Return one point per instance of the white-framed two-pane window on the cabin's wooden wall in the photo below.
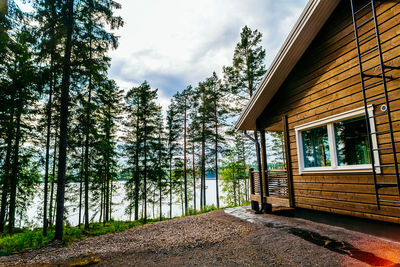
(337, 143)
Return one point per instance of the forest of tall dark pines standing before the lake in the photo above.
(63, 121)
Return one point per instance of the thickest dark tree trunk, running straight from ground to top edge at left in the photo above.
(64, 123)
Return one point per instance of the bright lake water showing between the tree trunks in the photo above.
(120, 204)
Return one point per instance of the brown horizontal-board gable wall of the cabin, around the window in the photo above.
(326, 81)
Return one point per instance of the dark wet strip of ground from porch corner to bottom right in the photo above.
(340, 247)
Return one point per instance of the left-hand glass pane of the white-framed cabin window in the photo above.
(316, 147)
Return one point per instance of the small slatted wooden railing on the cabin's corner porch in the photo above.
(277, 183)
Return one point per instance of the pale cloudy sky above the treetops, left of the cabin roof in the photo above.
(176, 43)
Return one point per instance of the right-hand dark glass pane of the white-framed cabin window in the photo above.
(352, 142)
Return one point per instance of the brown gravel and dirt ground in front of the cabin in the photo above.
(234, 237)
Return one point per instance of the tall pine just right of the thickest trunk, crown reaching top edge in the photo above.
(92, 42)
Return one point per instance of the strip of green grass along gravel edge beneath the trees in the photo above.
(25, 238)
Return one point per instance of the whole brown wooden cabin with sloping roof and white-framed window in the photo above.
(333, 89)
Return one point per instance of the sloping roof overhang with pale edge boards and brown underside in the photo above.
(311, 20)
